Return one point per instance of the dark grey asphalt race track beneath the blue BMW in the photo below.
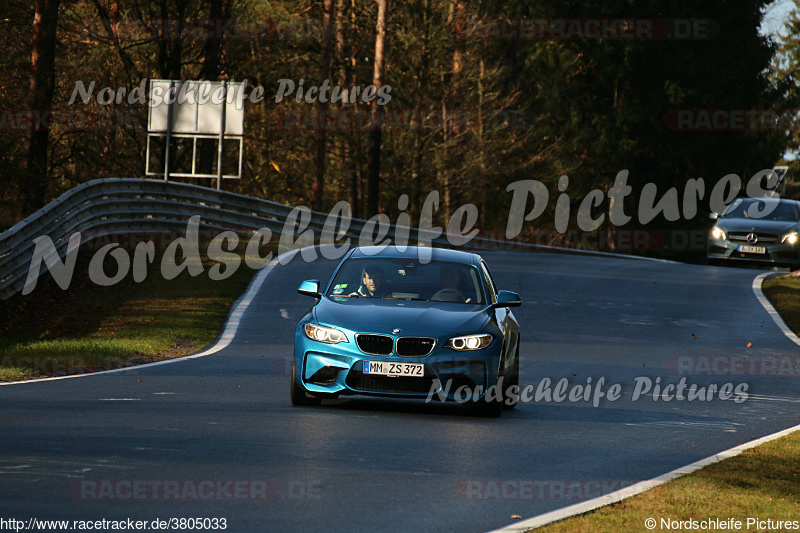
(77, 449)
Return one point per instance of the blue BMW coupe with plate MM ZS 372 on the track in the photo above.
(417, 323)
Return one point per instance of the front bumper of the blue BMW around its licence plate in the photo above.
(332, 369)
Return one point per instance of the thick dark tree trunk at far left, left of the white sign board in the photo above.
(40, 97)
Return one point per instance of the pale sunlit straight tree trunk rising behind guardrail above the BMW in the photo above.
(376, 117)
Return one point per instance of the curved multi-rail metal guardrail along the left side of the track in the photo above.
(118, 206)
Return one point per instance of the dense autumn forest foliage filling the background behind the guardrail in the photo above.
(476, 102)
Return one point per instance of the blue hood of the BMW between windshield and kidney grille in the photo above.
(412, 318)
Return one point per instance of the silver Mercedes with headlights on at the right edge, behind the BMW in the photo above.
(760, 230)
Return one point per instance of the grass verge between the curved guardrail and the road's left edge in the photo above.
(88, 328)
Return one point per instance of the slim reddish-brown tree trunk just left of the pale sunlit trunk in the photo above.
(318, 185)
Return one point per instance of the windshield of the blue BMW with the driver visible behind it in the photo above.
(407, 279)
